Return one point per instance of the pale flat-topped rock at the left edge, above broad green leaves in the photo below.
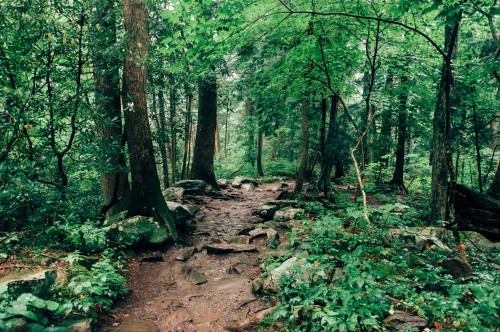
(37, 283)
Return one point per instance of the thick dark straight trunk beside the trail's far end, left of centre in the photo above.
(204, 147)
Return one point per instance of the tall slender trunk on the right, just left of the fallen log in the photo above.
(441, 150)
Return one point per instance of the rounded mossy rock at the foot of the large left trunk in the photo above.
(137, 230)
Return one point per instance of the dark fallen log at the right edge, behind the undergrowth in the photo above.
(477, 212)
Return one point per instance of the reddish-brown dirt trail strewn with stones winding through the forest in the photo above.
(164, 291)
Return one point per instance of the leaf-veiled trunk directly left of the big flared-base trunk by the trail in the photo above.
(114, 177)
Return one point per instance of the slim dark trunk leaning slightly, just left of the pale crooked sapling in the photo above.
(325, 178)
